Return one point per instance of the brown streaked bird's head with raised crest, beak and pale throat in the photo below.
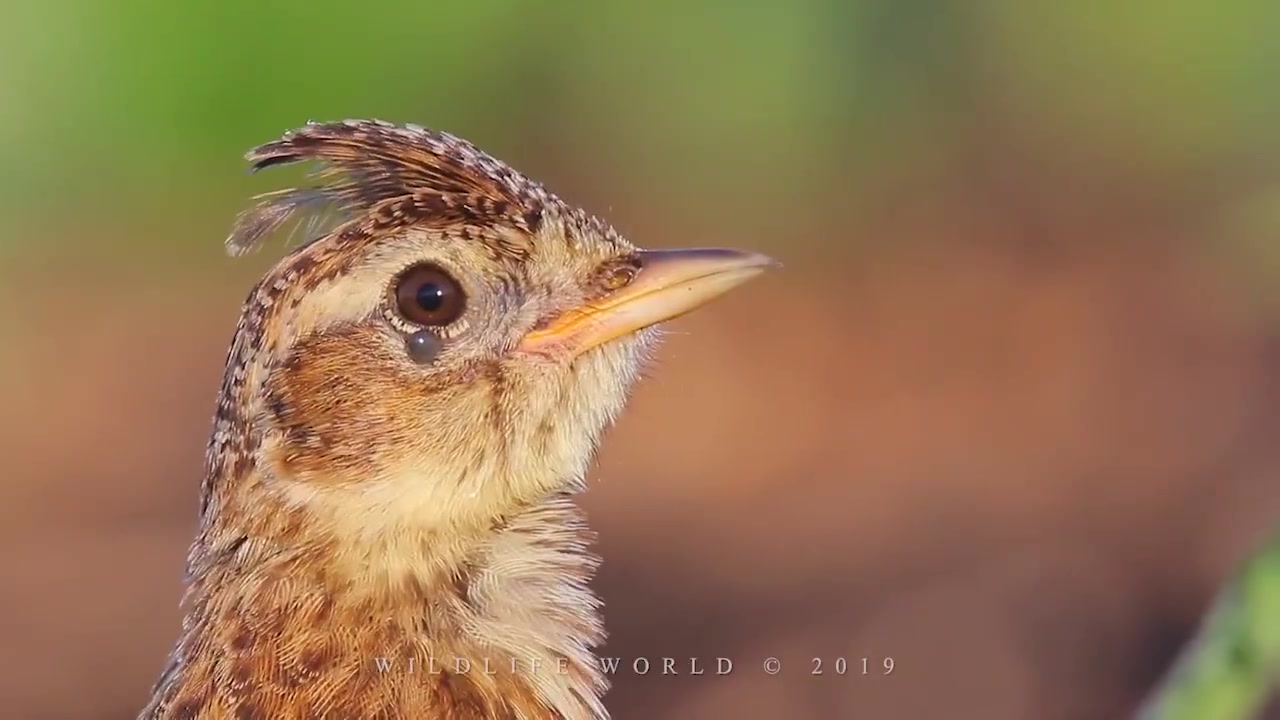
(450, 352)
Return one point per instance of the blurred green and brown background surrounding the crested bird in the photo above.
(1008, 417)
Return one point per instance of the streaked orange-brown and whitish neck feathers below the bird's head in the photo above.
(286, 616)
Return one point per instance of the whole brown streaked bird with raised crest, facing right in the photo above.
(412, 400)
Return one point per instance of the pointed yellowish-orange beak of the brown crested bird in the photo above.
(669, 285)
